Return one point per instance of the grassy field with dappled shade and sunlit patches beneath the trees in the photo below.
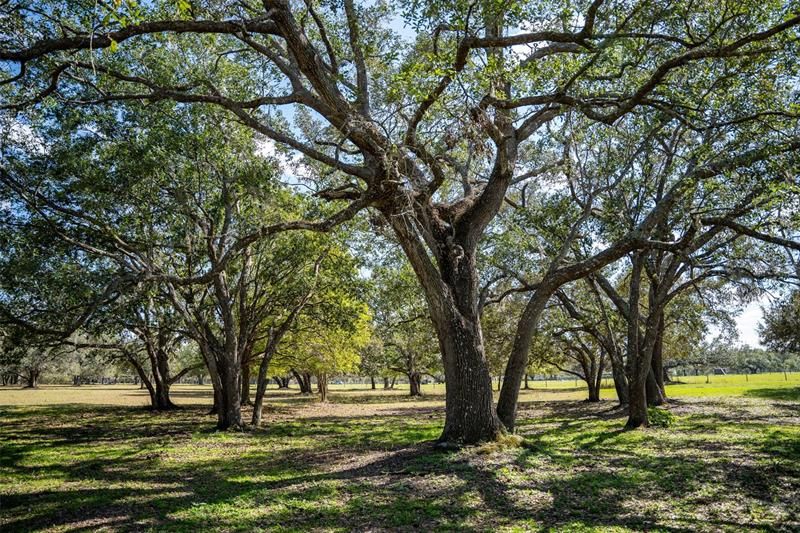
(90, 458)
